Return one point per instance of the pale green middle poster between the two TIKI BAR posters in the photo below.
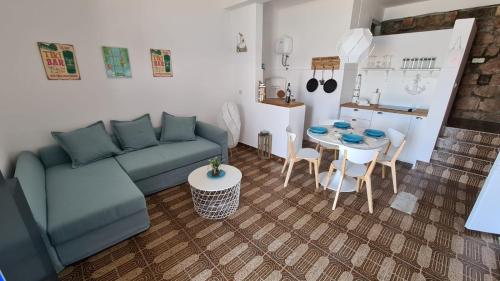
(117, 62)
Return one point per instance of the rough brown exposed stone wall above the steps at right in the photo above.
(478, 97)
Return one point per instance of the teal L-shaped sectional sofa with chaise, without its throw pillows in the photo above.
(81, 211)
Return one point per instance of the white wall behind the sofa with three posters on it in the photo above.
(31, 106)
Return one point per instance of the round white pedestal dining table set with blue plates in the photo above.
(333, 137)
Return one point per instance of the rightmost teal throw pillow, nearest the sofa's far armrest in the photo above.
(177, 128)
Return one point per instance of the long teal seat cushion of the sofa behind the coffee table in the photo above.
(159, 159)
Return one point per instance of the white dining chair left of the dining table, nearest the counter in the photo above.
(308, 154)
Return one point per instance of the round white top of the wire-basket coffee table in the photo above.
(199, 179)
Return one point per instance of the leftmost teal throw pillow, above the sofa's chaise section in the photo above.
(87, 145)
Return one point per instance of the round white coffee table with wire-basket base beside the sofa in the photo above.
(215, 198)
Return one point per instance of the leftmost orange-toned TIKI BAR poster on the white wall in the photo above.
(59, 61)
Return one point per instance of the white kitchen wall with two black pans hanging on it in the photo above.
(315, 26)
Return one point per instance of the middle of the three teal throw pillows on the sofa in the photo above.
(135, 134)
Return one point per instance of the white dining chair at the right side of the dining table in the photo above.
(391, 154)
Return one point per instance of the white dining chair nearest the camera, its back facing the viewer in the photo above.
(356, 163)
